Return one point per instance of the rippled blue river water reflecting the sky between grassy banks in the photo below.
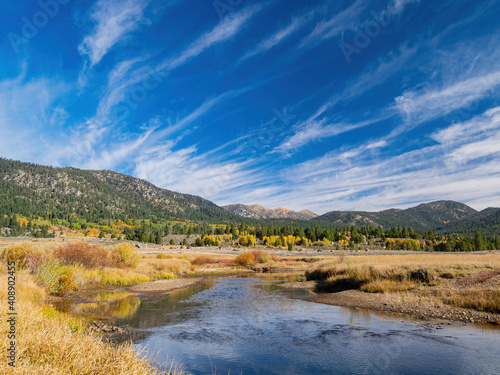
(250, 326)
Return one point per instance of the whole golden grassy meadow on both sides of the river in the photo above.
(54, 342)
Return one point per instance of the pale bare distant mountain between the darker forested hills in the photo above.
(259, 212)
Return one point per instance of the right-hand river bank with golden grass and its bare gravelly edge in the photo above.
(453, 287)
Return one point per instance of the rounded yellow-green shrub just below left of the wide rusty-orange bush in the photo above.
(56, 278)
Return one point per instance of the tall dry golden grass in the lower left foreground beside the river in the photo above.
(49, 342)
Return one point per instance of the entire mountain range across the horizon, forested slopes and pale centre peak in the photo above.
(28, 189)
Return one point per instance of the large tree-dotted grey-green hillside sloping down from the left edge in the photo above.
(27, 189)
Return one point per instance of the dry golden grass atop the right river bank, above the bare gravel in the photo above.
(462, 280)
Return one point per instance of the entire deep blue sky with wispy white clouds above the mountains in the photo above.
(320, 105)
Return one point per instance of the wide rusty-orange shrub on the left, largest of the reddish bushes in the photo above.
(86, 255)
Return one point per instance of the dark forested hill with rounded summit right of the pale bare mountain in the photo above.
(434, 215)
